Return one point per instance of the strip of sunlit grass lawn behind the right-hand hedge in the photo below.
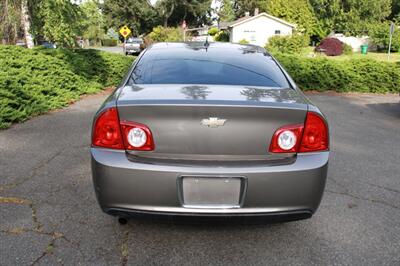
(394, 57)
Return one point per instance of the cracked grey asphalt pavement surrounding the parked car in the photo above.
(49, 215)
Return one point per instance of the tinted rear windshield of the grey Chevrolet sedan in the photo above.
(261, 71)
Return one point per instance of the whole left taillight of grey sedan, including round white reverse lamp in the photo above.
(109, 132)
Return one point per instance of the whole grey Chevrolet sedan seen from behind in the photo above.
(209, 129)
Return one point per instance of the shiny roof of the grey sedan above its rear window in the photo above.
(195, 49)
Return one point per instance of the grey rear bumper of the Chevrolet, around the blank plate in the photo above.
(132, 188)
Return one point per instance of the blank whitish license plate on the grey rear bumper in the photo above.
(211, 192)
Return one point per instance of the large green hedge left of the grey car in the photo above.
(35, 81)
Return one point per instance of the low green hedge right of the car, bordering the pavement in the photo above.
(354, 75)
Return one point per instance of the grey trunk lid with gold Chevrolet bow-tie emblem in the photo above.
(211, 122)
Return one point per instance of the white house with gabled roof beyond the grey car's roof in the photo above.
(257, 29)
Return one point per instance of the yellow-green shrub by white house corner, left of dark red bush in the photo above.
(287, 44)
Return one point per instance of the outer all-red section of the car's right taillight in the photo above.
(315, 134)
